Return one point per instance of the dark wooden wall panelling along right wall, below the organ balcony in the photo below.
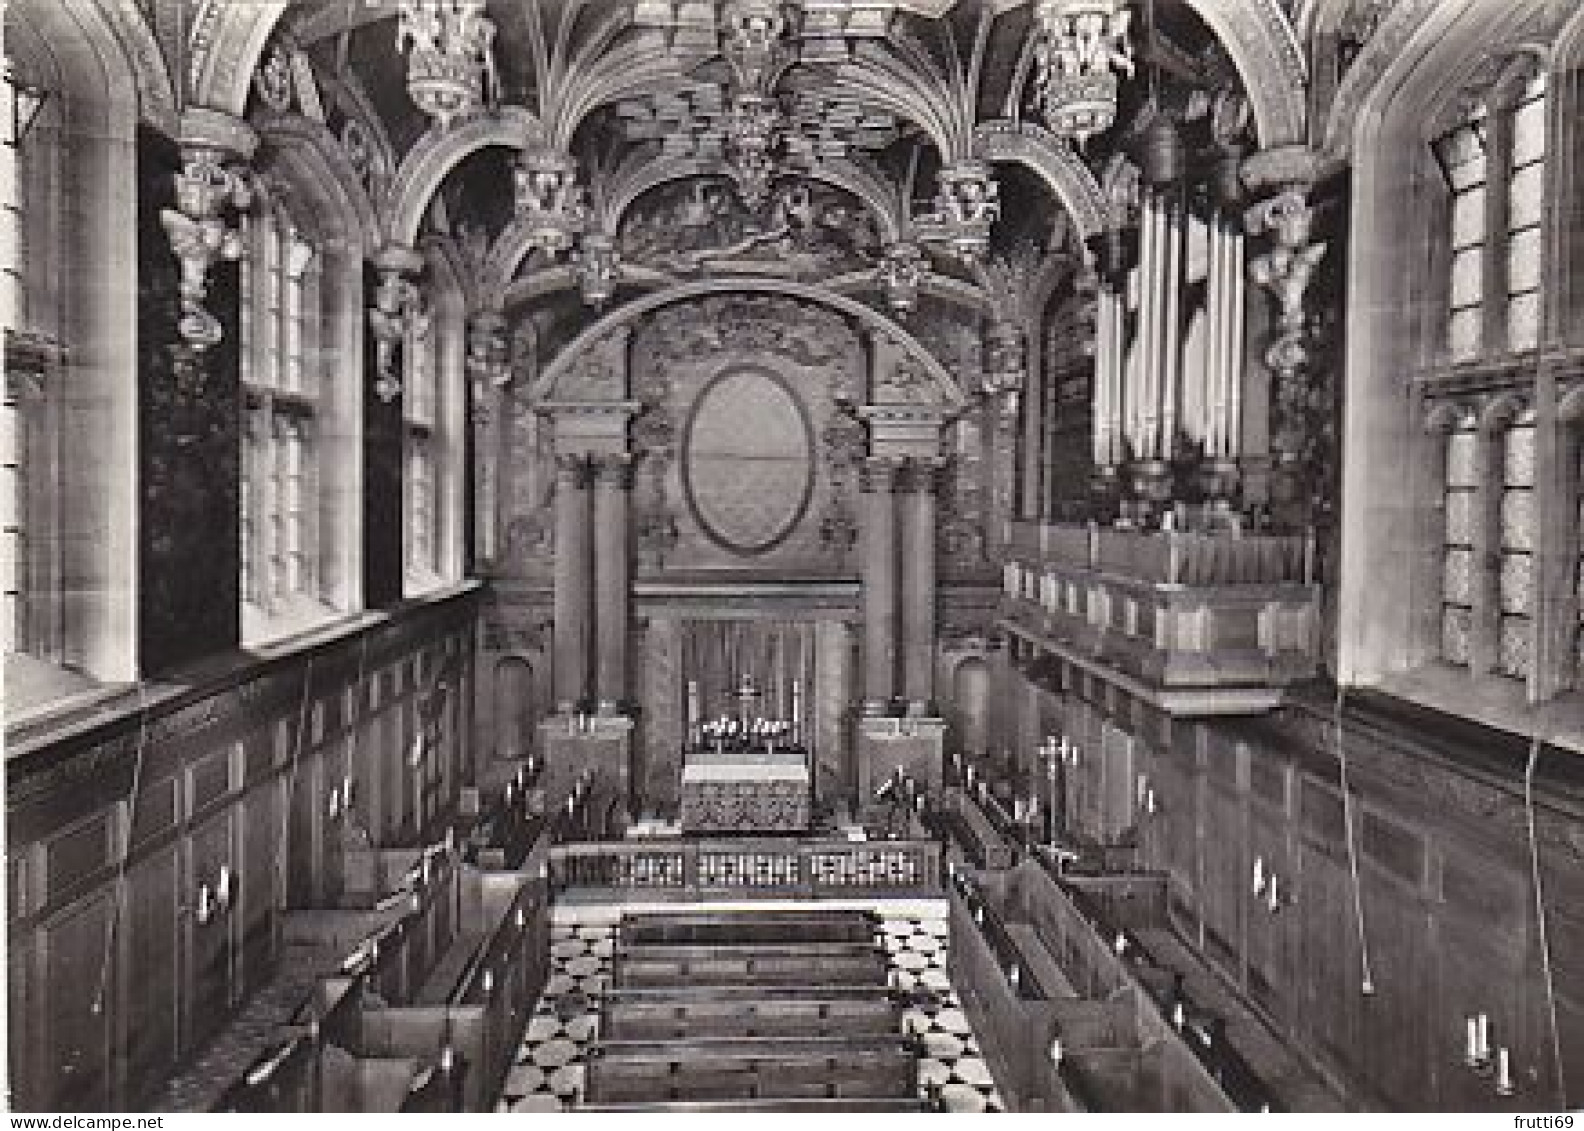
(1442, 896)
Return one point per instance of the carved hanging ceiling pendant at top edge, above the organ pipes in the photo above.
(1083, 48)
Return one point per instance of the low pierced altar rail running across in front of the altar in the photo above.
(772, 869)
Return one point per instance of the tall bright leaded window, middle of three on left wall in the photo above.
(281, 375)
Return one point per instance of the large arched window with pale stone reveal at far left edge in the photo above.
(69, 459)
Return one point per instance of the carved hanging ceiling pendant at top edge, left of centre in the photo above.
(451, 58)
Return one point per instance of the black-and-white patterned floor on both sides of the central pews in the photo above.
(550, 1064)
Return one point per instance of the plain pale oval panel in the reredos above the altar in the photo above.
(748, 460)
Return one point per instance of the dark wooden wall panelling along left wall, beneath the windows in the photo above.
(215, 782)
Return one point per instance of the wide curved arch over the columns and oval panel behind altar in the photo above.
(558, 383)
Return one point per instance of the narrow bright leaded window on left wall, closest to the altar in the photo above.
(422, 449)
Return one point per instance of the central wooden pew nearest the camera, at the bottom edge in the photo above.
(750, 1068)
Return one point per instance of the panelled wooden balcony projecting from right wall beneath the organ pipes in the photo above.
(1198, 623)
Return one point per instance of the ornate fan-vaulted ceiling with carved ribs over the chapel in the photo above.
(866, 102)
